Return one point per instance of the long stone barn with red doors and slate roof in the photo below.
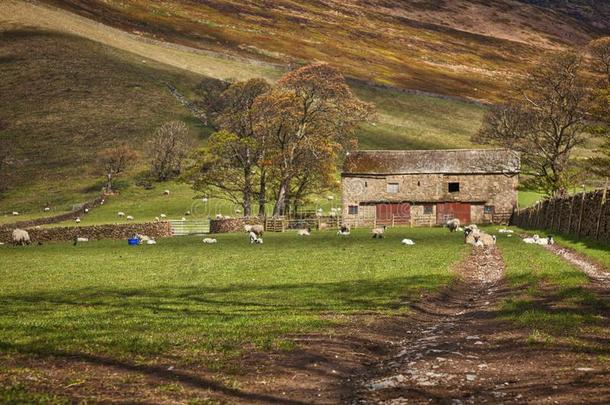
(429, 187)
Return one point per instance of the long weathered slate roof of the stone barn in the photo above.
(456, 161)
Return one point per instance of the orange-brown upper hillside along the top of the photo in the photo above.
(470, 48)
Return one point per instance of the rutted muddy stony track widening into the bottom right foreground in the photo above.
(458, 351)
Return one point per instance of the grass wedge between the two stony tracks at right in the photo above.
(551, 298)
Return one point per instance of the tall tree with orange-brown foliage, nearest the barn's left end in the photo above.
(308, 119)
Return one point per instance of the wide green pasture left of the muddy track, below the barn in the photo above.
(190, 300)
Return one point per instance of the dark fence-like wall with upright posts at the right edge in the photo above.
(584, 215)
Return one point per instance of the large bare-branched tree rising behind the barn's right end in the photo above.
(545, 122)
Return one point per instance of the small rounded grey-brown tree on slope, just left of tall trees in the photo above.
(167, 150)
